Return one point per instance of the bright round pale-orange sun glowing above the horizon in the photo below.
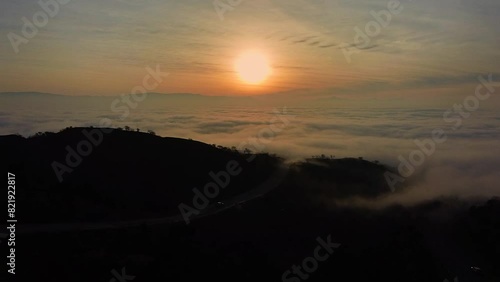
(252, 67)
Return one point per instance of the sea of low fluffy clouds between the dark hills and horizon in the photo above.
(465, 165)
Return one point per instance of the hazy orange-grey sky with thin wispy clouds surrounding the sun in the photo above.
(108, 43)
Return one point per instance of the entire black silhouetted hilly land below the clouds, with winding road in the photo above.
(283, 235)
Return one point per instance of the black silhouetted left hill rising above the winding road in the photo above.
(125, 176)
